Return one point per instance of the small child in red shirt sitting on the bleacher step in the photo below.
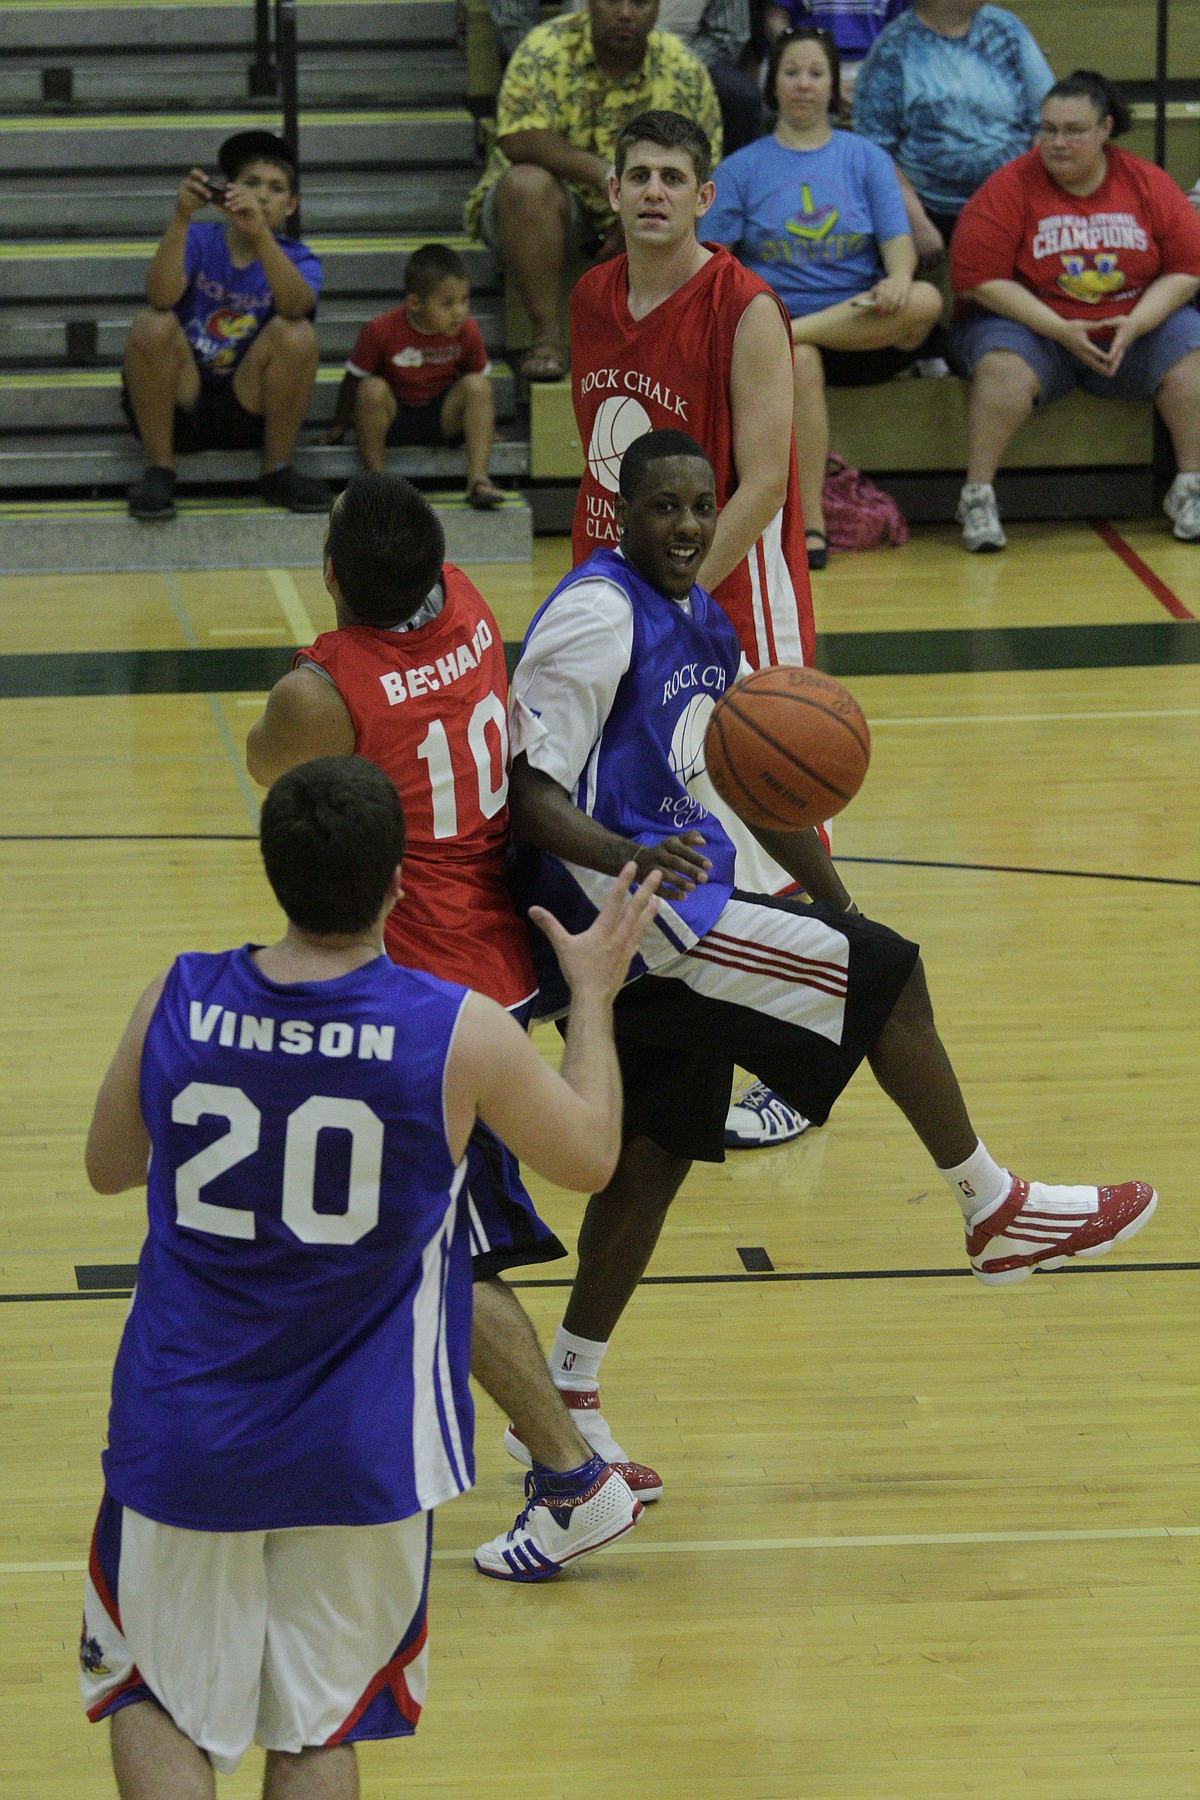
(418, 375)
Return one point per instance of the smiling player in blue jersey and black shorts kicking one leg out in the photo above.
(609, 706)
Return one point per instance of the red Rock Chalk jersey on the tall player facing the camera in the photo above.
(670, 370)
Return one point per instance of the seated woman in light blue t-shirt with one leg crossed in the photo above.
(819, 215)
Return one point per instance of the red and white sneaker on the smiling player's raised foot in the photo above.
(1039, 1227)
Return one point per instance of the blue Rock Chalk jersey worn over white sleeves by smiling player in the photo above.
(638, 777)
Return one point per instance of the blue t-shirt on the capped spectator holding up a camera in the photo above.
(224, 307)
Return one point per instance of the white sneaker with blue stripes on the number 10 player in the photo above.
(566, 1518)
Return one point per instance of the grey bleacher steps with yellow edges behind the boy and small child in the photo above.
(103, 109)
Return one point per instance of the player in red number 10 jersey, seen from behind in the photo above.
(415, 681)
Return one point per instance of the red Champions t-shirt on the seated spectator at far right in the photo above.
(1086, 256)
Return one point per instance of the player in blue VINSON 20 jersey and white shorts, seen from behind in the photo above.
(291, 1398)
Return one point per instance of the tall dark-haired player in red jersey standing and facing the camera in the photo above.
(679, 336)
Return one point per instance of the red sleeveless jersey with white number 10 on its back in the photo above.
(431, 710)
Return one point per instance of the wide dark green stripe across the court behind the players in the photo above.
(251, 670)
